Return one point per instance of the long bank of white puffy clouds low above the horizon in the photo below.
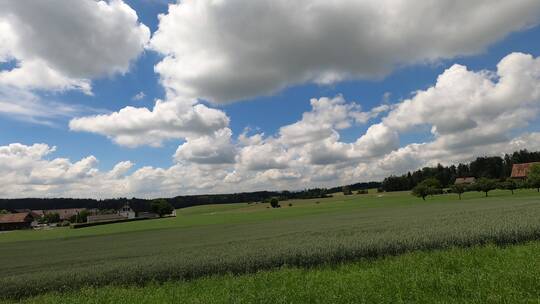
(469, 113)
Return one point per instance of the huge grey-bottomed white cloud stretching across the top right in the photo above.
(224, 51)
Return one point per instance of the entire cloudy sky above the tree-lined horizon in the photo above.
(156, 98)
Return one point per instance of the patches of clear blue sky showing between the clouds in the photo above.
(263, 112)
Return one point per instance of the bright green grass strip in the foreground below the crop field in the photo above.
(476, 275)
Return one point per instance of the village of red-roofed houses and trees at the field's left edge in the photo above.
(19, 219)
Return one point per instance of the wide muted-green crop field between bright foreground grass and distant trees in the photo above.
(246, 238)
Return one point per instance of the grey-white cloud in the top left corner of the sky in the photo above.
(63, 47)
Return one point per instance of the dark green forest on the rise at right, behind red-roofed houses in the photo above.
(493, 167)
